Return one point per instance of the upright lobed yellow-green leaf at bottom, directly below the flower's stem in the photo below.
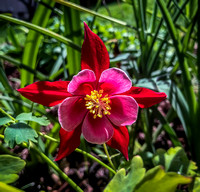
(126, 183)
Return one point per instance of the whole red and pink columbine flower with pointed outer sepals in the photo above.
(98, 102)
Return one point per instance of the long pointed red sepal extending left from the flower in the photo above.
(46, 93)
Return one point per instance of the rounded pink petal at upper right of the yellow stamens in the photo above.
(114, 81)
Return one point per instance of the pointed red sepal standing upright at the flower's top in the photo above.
(94, 55)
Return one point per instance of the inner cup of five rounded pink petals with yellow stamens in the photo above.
(96, 105)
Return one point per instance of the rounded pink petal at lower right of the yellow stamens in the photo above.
(124, 110)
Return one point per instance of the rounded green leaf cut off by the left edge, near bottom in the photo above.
(9, 166)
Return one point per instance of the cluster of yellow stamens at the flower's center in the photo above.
(98, 104)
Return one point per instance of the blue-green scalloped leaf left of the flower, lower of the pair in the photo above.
(19, 133)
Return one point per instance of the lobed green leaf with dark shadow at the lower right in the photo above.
(175, 159)
